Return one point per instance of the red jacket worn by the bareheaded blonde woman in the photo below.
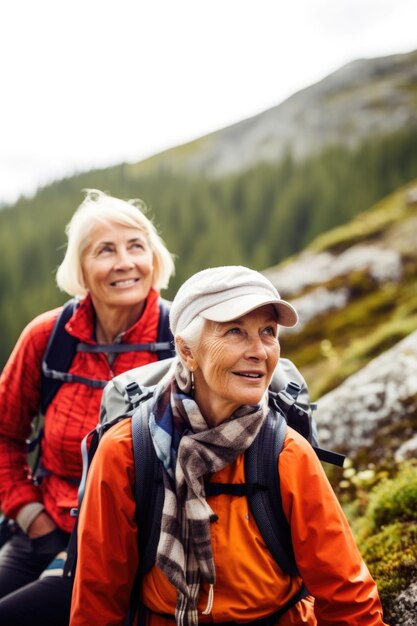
(72, 413)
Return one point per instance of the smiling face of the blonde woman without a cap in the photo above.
(117, 265)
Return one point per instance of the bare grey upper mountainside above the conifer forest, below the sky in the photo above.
(368, 97)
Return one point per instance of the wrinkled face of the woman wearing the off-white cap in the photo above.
(235, 362)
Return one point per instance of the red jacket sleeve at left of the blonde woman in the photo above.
(19, 404)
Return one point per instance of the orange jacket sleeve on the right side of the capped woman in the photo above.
(325, 550)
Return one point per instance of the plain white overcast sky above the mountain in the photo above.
(91, 83)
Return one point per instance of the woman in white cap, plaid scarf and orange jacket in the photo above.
(212, 565)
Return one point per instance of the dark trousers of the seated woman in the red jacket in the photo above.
(25, 600)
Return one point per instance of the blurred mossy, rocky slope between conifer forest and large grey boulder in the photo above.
(355, 288)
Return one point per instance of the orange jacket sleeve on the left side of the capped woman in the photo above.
(107, 535)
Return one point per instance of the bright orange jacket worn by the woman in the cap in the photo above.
(249, 583)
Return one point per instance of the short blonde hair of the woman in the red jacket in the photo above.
(98, 207)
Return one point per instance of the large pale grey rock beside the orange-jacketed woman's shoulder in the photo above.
(373, 414)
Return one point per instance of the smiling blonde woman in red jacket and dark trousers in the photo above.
(116, 263)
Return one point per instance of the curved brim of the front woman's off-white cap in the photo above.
(236, 307)
